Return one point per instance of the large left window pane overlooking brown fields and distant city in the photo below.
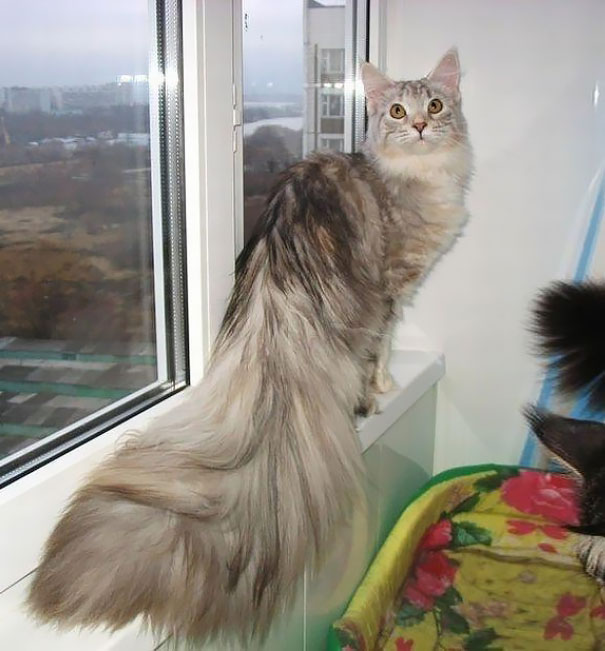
(92, 322)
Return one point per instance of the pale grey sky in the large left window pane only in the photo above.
(72, 42)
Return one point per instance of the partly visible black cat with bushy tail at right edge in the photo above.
(569, 320)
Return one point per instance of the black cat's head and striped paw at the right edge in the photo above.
(580, 446)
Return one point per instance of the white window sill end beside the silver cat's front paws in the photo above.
(414, 373)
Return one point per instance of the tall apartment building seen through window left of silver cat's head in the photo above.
(324, 104)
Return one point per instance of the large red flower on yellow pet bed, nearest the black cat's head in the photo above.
(549, 495)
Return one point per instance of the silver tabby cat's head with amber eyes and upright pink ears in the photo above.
(415, 118)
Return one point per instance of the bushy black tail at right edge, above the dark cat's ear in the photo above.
(569, 320)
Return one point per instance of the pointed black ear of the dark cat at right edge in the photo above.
(579, 444)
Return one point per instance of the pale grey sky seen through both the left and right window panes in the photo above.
(80, 42)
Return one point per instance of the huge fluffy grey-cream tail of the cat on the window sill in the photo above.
(203, 526)
